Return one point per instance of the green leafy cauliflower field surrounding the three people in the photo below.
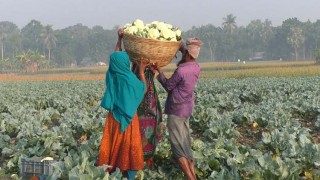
(251, 128)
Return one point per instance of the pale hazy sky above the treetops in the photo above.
(184, 14)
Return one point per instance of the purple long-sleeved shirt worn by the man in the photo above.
(180, 88)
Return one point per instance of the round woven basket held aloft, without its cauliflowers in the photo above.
(155, 51)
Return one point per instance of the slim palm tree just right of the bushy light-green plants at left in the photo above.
(49, 39)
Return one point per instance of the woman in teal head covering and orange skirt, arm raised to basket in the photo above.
(121, 145)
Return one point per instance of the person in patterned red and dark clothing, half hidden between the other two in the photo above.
(150, 117)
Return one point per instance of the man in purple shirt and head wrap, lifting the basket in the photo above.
(180, 103)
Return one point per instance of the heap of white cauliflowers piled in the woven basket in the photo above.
(154, 30)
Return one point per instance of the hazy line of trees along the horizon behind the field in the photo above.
(37, 46)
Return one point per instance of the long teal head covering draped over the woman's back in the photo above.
(124, 91)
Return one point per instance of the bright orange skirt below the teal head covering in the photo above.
(121, 150)
